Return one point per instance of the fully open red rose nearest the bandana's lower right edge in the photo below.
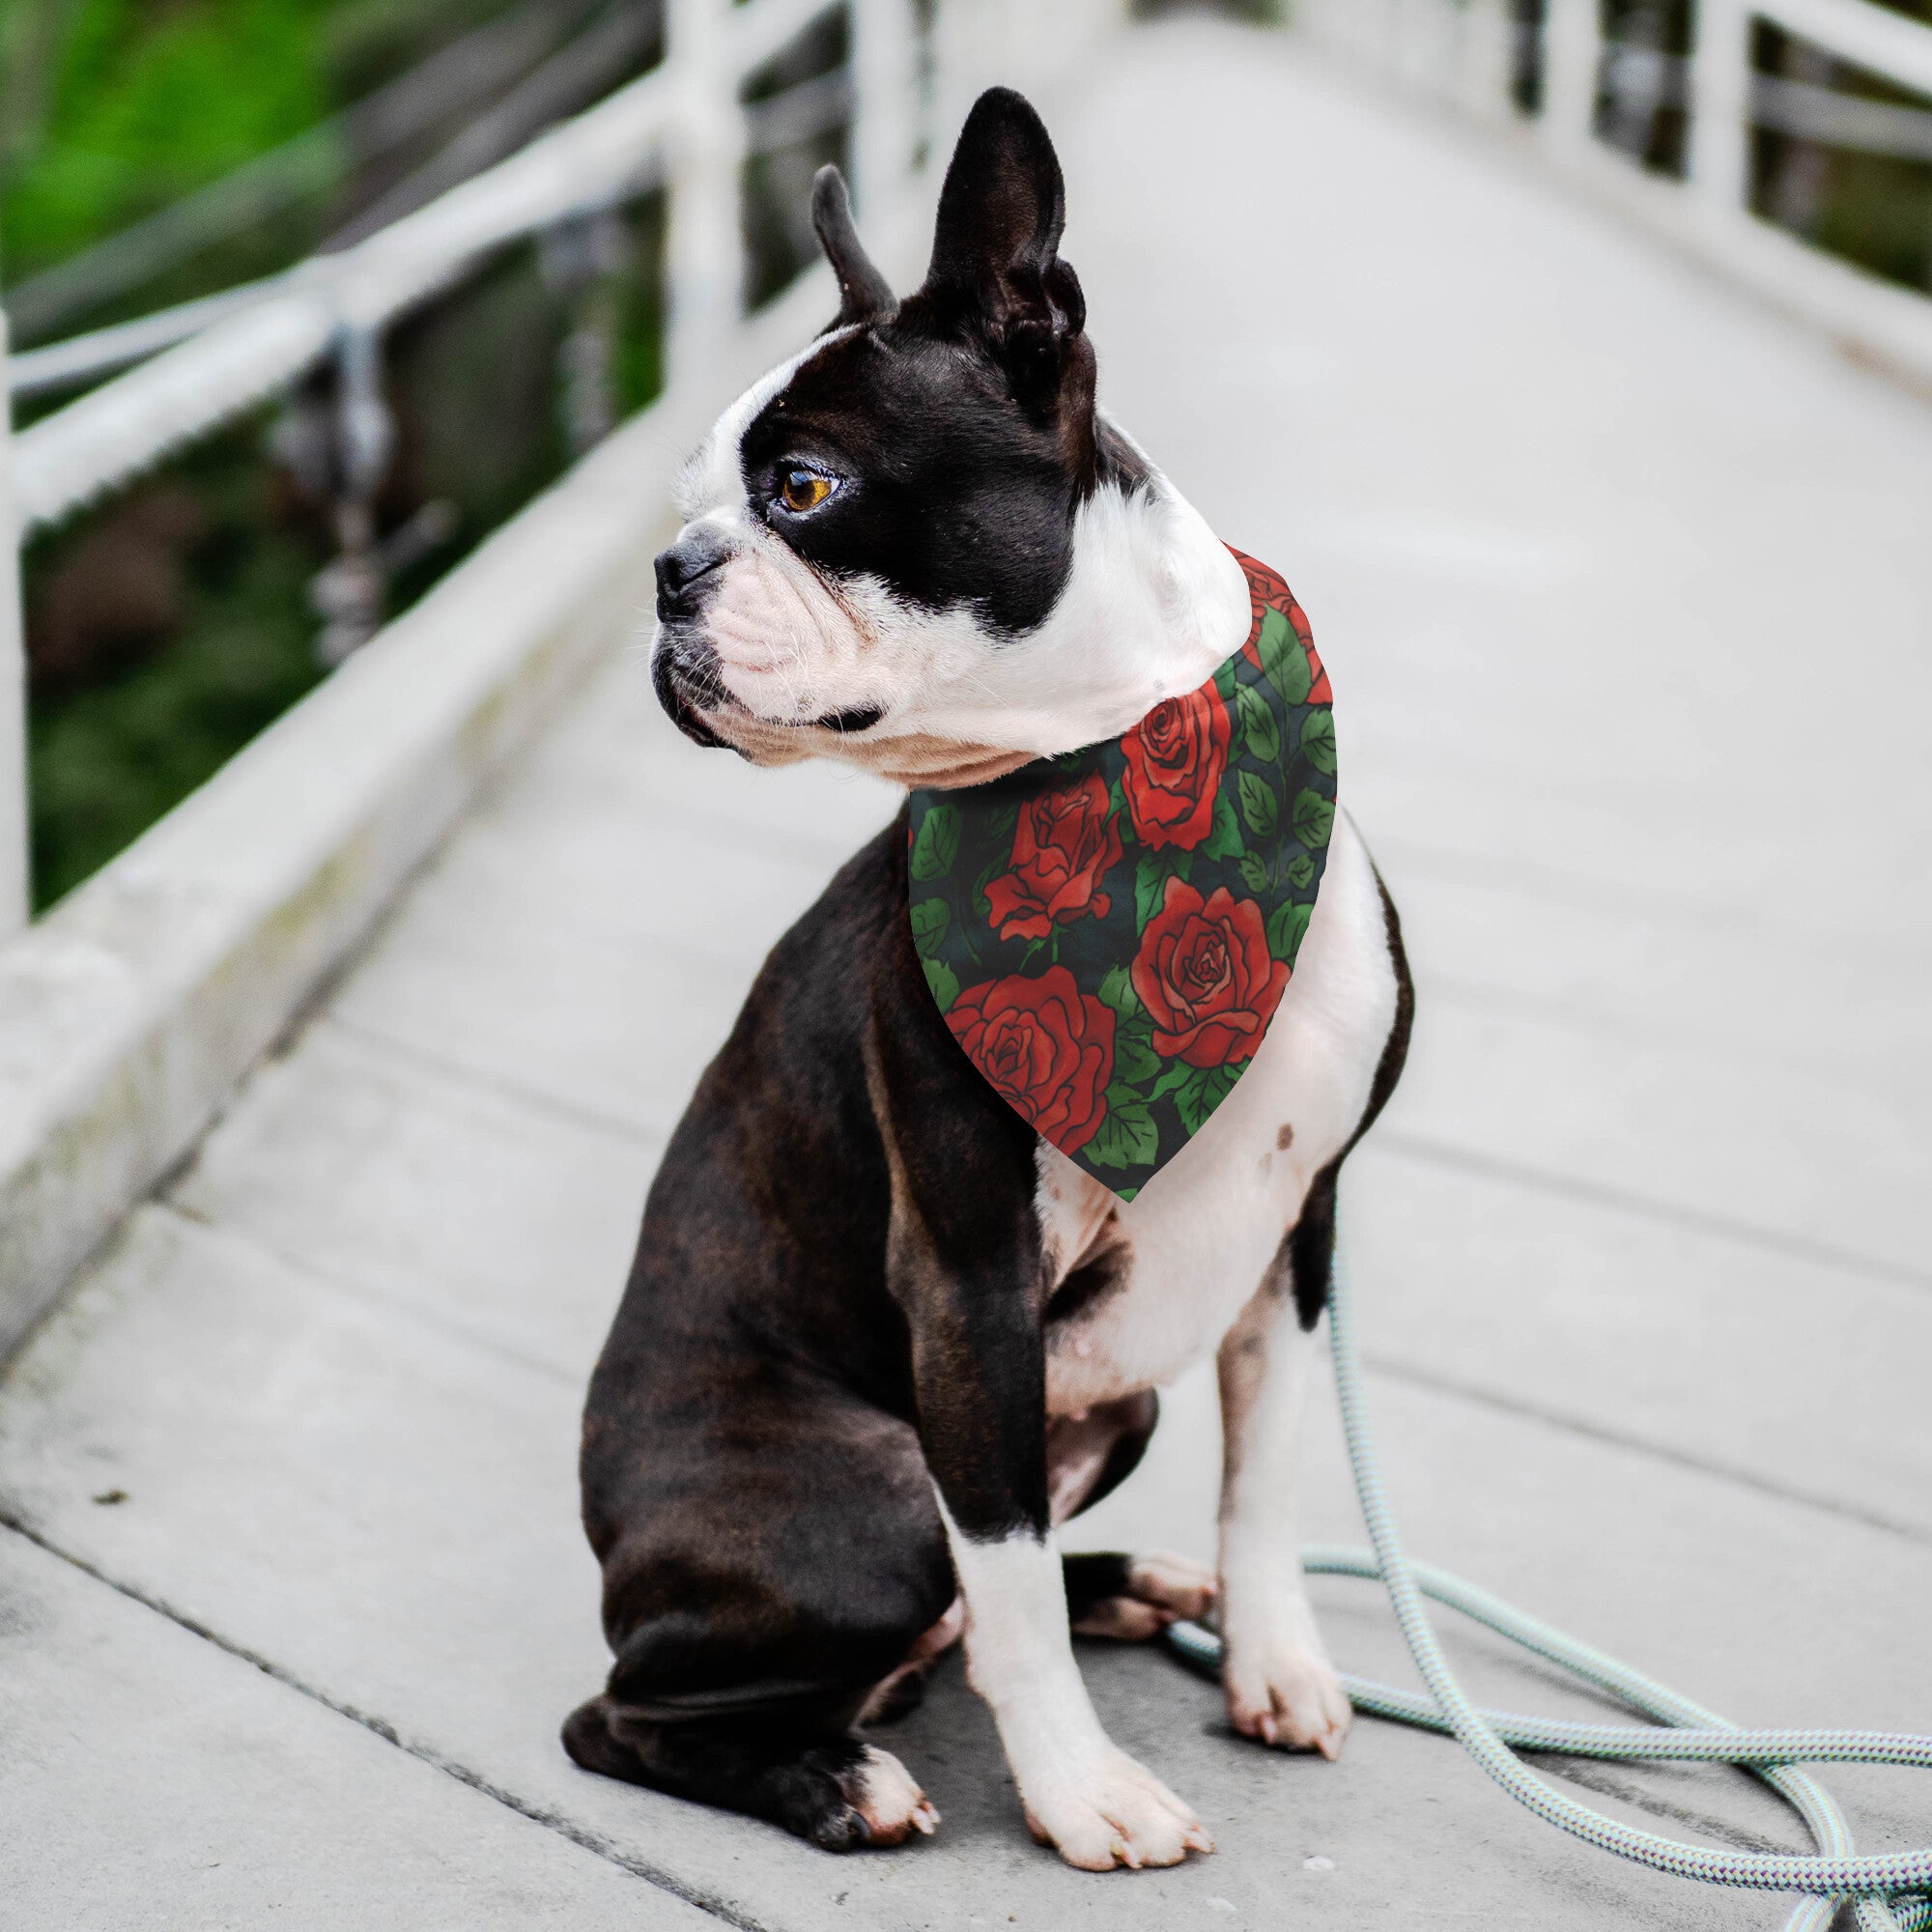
(1207, 977)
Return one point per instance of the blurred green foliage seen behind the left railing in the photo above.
(169, 625)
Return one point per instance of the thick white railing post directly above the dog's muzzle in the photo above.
(704, 256)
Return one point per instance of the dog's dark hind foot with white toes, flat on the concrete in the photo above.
(822, 1784)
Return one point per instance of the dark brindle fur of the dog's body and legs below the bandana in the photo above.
(776, 1390)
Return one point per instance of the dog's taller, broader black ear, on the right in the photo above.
(994, 250)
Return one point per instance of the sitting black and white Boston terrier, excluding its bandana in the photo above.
(880, 1338)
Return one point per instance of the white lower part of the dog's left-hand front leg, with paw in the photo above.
(1081, 1792)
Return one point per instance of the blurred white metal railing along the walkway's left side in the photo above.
(679, 127)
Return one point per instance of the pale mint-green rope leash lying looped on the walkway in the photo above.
(1879, 1887)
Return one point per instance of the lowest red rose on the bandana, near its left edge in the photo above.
(1044, 1046)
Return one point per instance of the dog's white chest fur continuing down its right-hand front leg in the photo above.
(1201, 1274)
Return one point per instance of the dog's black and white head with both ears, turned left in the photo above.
(917, 548)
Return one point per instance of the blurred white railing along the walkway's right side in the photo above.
(1469, 55)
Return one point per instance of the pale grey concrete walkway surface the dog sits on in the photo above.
(1624, 590)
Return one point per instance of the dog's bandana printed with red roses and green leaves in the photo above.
(1110, 932)
